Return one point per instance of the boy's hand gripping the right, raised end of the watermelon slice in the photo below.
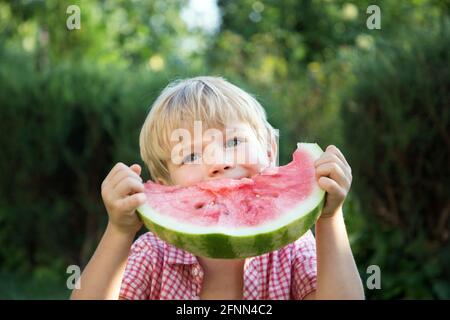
(335, 177)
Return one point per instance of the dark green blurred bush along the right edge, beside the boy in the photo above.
(397, 127)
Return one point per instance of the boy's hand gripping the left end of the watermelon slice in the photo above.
(122, 193)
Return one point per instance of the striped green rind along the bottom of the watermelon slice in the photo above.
(222, 245)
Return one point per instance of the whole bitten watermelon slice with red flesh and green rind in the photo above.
(230, 218)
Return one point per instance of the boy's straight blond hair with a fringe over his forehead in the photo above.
(212, 100)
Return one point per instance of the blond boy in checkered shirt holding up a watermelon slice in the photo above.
(321, 268)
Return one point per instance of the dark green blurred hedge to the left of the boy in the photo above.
(63, 128)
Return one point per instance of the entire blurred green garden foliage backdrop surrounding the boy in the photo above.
(72, 103)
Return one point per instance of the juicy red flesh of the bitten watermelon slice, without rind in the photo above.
(237, 203)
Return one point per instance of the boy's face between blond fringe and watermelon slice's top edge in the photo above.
(233, 152)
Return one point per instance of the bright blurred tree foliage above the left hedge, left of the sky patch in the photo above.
(116, 31)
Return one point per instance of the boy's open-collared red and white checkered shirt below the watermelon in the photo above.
(159, 271)
